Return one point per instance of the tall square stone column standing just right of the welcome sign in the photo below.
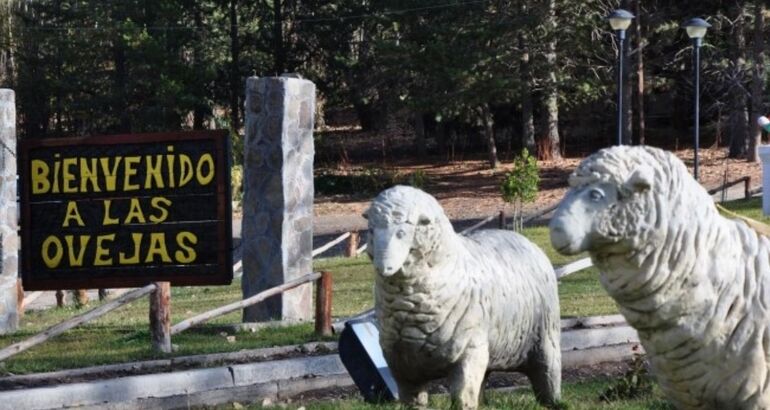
(277, 231)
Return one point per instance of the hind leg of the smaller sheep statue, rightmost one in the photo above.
(544, 372)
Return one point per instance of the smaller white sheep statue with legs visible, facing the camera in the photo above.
(449, 305)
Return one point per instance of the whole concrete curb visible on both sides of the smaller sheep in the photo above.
(278, 379)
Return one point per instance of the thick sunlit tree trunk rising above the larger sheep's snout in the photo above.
(552, 90)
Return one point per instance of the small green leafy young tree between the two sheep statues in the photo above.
(520, 185)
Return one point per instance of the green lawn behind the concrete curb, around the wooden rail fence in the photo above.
(123, 335)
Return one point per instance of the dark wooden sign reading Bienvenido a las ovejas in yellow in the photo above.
(125, 210)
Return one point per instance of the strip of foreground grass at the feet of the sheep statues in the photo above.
(575, 396)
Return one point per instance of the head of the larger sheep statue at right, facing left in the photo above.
(620, 202)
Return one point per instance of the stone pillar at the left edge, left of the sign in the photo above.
(9, 238)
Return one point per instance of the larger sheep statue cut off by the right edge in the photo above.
(695, 285)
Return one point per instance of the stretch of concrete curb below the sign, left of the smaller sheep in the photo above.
(248, 382)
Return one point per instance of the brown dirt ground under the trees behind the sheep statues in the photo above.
(469, 189)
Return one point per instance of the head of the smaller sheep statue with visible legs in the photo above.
(405, 228)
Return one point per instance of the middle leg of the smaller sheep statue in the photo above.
(467, 377)
